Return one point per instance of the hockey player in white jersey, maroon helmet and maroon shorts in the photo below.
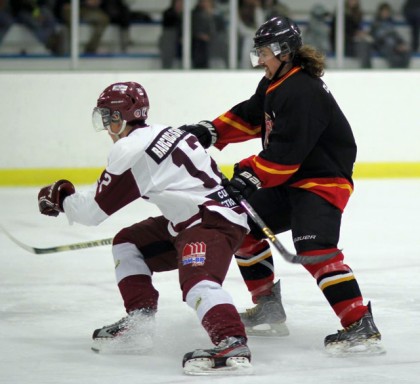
(200, 229)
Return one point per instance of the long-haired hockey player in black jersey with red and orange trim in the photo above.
(300, 181)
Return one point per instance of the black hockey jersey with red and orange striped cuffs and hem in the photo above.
(307, 141)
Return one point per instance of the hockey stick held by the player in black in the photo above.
(290, 257)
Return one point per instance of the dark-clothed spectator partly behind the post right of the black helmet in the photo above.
(358, 42)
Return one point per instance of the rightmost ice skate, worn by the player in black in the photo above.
(360, 338)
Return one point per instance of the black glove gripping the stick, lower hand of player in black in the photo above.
(243, 183)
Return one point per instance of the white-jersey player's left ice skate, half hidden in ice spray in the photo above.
(132, 334)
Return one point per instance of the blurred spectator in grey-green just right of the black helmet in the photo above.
(317, 33)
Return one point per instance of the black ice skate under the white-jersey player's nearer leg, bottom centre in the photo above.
(230, 357)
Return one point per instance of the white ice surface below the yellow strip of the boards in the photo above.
(50, 304)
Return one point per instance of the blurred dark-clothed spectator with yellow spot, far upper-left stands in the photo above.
(37, 16)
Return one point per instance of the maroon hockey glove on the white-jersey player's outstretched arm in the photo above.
(51, 197)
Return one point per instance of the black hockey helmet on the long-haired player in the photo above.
(281, 30)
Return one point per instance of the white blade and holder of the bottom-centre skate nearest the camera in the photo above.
(235, 366)
